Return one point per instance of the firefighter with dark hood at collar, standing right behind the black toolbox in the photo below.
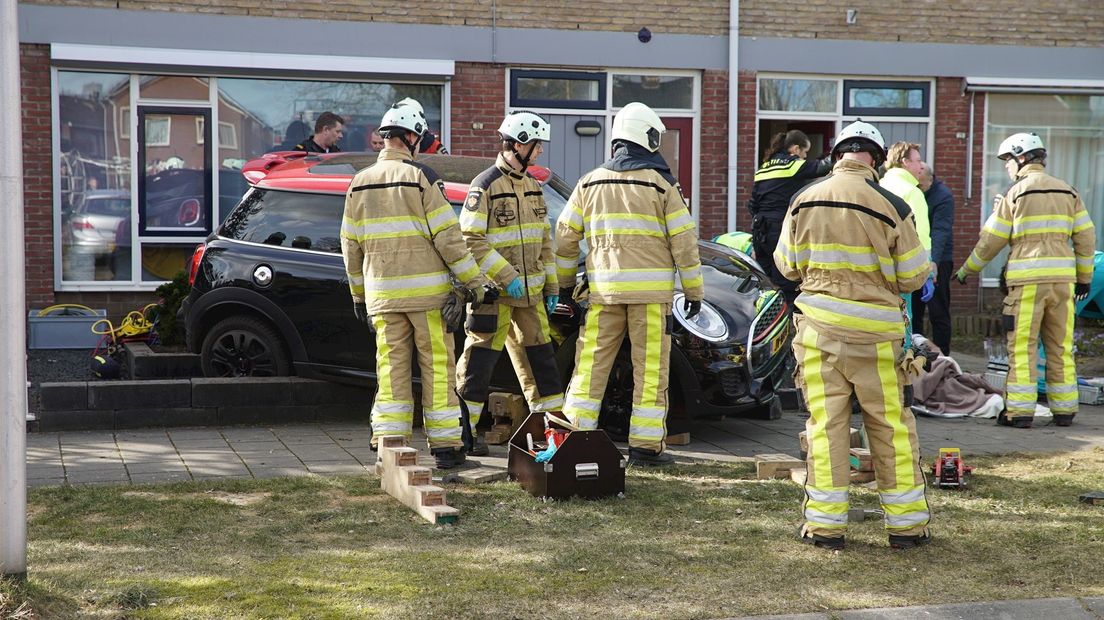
(640, 233)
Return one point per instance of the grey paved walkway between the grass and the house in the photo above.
(146, 456)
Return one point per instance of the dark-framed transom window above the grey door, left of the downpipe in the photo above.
(558, 90)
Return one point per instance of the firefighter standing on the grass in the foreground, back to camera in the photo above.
(855, 250)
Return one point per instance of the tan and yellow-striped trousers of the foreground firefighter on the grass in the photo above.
(830, 372)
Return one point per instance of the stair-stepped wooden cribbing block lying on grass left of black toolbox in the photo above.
(404, 479)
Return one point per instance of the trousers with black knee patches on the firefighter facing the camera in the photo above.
(525, 335)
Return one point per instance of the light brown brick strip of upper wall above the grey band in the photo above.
(1066, 24)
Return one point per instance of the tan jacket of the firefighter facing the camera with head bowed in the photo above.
(506, 227)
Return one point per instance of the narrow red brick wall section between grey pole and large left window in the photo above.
(38, 175)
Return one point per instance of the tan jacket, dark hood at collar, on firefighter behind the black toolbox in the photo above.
(639, 232)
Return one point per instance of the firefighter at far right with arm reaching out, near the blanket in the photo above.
(1038, 217)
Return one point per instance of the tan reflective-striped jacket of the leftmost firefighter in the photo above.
(400, 238)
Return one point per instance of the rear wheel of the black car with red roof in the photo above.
(245, 347)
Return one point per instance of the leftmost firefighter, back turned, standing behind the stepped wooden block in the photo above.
(400, 239)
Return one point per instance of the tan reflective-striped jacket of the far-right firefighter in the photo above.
(1037, 218)
